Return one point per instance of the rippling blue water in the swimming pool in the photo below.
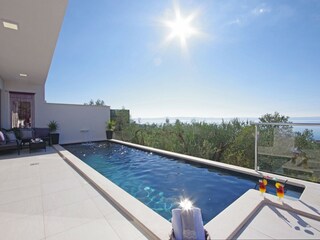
(161, 182)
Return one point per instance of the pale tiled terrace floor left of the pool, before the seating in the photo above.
(42, 197)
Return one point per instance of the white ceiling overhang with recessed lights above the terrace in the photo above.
(29, 50)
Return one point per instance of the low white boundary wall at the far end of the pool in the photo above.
(77, 123)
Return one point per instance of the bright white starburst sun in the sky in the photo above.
(181, 28)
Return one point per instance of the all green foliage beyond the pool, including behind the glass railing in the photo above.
(230, 142)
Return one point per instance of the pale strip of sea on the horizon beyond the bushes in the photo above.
(308, 120)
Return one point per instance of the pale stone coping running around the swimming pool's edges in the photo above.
(156, 227)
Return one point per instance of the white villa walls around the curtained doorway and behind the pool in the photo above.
(72, 119)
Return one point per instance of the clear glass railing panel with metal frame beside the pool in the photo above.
(289, 149)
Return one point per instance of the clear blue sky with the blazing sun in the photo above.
(223, 58)
